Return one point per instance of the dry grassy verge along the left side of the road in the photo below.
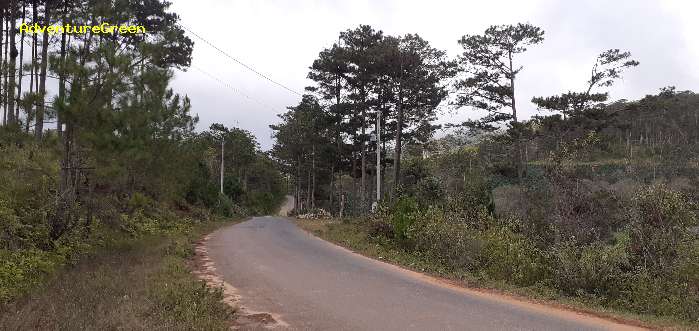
(141, 283)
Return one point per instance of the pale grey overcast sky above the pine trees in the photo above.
(281, 39)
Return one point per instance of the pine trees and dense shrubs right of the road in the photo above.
(590, 199)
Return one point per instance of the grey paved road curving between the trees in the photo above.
(313, 285)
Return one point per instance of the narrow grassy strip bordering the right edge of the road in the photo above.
(355, 235)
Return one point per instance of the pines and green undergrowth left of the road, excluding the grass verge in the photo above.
(122, 158)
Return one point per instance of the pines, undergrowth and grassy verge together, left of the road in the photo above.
(99, 210)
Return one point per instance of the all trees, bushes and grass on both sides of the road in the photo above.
(591, 200)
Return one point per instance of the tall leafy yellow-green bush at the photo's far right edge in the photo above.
(665, 254)
